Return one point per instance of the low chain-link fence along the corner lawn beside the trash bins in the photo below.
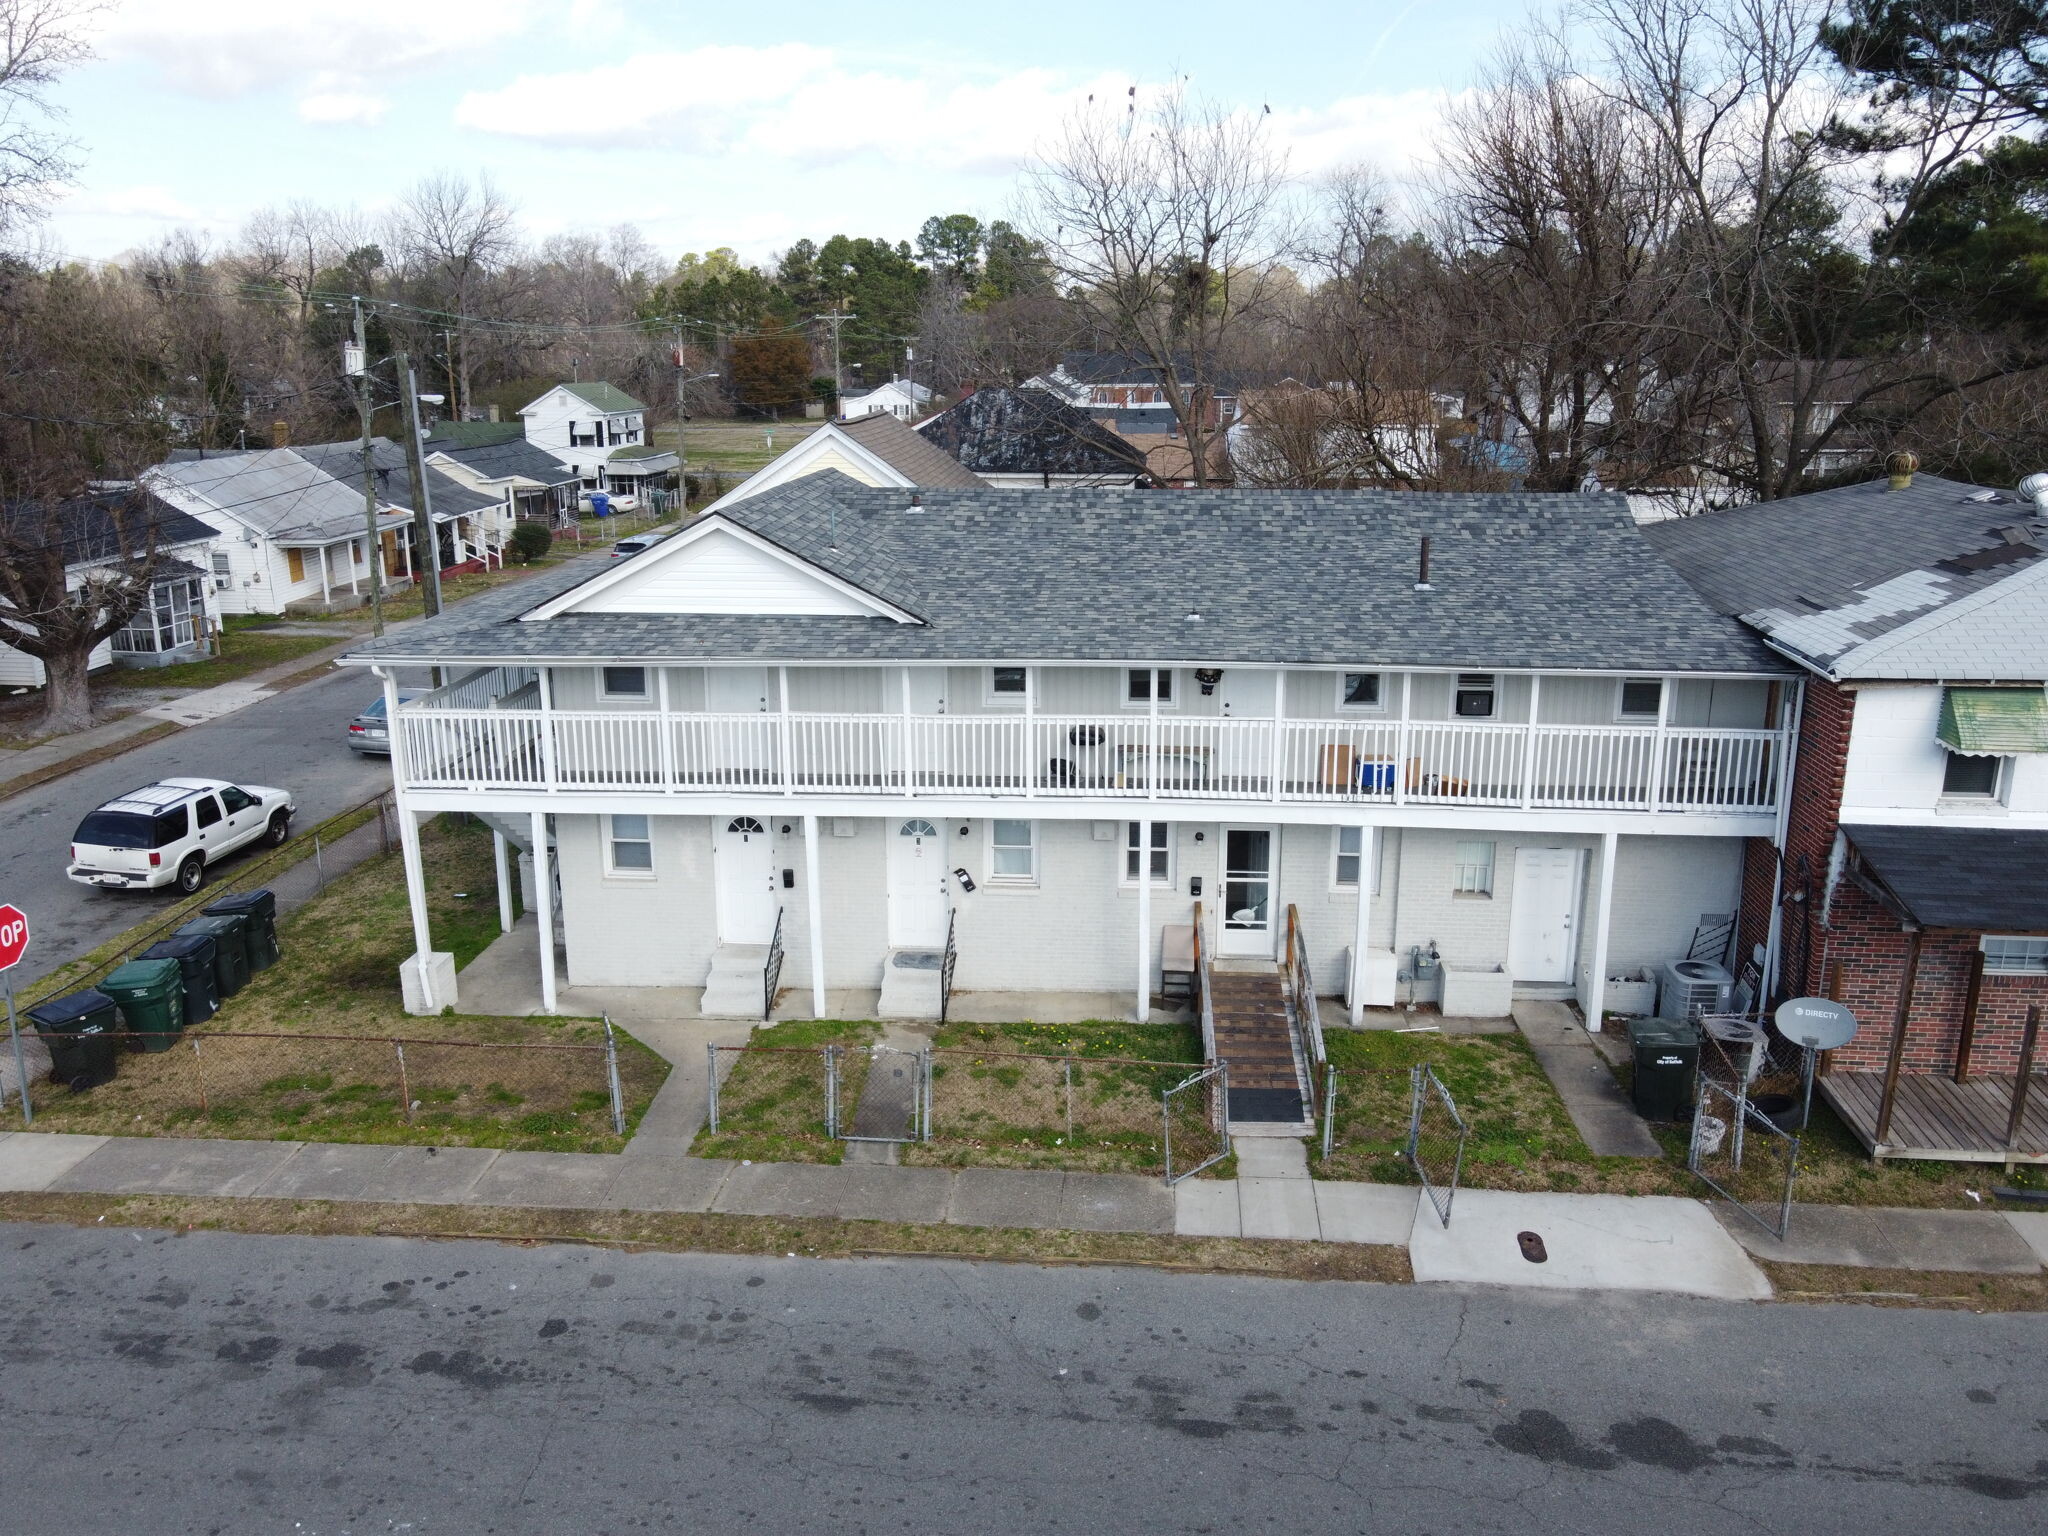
(333, 1089)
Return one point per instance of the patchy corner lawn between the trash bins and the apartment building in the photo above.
(339, 978)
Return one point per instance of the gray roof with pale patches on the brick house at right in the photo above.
(1861, 581)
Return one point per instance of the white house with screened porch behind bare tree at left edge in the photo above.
(175, 626)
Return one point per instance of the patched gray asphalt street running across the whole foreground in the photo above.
(220, 1383)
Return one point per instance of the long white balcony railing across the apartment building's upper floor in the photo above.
(1095, 757)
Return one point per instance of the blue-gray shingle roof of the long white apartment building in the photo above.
(1316, 579)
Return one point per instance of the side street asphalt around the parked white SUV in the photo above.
(294, 740)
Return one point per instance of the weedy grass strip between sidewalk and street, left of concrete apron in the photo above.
(718, 1234)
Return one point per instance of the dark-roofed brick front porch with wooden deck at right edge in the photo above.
(1951, 984)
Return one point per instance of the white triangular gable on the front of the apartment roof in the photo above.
(720, 568)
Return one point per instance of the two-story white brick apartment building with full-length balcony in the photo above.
(1046, 728)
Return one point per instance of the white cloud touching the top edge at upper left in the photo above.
(232, 48)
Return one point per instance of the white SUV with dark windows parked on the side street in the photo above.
(171, 830)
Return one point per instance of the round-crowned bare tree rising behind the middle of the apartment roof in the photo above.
(1164, 224)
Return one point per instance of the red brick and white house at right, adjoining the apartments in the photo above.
(1914, 884)
